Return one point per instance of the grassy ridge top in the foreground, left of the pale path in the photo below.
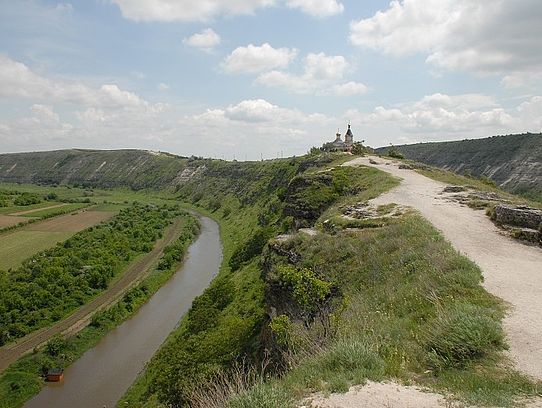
(412, 309)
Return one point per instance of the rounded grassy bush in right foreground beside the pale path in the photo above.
(461, 335)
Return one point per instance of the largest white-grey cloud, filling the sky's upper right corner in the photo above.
(501, 37)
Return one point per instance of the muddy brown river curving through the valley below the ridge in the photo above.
(103, 374)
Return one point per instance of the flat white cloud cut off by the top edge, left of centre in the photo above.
(204, 10)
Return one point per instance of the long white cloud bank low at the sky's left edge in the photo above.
(19, 81)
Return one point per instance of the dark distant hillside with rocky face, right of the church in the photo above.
(514, 162)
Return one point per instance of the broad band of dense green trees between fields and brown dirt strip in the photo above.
(56, 281)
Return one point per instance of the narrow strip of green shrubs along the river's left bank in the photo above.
(22, 379)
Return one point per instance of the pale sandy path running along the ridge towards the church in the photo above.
(512, 271)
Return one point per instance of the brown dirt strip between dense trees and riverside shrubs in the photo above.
(135, 272)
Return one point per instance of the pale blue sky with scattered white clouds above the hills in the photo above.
(251, 79)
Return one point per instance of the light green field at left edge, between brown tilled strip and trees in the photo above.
(17, 246)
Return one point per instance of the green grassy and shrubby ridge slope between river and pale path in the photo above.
(349, 306)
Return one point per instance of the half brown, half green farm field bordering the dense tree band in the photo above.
(18, 245)
